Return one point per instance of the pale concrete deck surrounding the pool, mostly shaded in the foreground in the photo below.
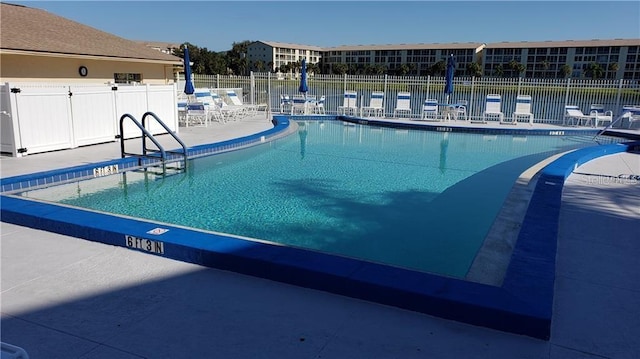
(69, 298)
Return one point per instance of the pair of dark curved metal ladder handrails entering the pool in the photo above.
(155, 154)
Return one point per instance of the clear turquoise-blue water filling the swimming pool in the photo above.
(415, 199)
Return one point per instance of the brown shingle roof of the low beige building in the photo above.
(33, 30)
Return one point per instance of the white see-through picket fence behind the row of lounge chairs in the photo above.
(549, 96)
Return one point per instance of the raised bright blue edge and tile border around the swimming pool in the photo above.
(522, 305)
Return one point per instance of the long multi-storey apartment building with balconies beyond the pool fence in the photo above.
(616, 59)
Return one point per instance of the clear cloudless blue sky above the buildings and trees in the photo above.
(216, 25)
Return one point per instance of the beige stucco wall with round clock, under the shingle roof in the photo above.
(18, 67)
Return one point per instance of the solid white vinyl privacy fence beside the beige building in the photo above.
(39, 117)
